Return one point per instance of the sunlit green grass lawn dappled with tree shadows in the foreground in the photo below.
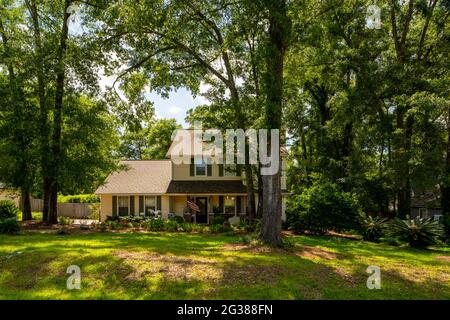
(197, 266)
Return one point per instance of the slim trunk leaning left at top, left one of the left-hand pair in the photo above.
(43, 111)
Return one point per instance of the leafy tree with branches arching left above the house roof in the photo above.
(187, 41)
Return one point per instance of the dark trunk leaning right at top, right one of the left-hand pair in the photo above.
(57, 118)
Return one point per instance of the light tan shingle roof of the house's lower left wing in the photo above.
(140, 176)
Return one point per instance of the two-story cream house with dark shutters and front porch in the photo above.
(151, 185)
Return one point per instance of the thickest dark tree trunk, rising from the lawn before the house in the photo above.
(279, 28)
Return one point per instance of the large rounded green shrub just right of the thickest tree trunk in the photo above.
(322, 207)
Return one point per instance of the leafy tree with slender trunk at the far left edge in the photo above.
(17, 110)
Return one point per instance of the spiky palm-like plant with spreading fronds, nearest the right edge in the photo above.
(417, 232)
